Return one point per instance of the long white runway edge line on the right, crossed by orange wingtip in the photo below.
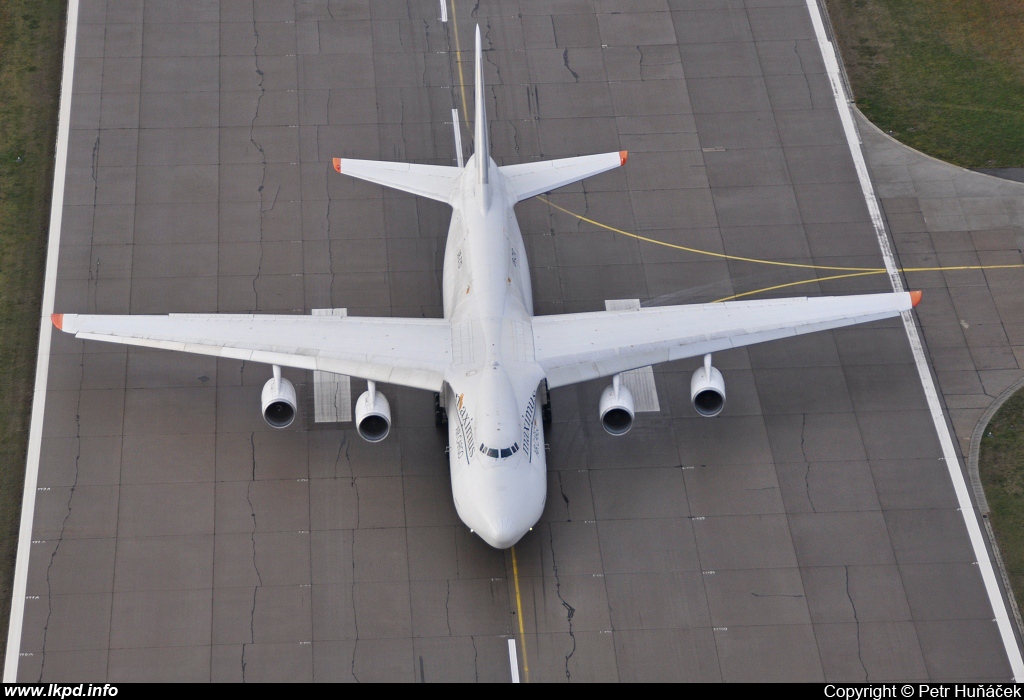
(931, 395)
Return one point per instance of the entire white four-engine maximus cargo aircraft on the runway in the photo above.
(490, 357)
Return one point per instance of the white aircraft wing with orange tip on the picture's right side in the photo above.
(578, 347)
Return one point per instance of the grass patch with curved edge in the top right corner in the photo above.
(946, 77)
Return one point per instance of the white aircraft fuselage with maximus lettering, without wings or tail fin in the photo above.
(496, 433)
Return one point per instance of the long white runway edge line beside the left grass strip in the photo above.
(44, 359)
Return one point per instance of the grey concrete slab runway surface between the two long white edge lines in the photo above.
(812, 533)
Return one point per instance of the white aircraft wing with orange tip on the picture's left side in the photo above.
(412, 353)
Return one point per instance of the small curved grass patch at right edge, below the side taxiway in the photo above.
(1002, 467)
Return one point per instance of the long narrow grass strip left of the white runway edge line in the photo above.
(31, 52)
